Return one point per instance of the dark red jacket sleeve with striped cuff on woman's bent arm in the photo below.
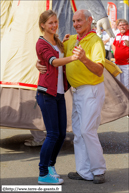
(46, 53)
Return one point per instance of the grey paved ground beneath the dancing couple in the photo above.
(19, 164)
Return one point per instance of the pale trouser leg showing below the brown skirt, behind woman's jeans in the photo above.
(38, 135)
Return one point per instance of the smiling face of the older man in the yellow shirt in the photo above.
(80, 23)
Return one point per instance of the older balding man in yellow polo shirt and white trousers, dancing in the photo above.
(86, 77)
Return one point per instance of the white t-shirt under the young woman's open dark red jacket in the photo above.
(60, 84)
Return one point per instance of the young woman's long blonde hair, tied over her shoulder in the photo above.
(43, 19)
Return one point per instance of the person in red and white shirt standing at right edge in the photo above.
(121, 51)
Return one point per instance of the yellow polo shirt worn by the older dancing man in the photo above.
(77, 73)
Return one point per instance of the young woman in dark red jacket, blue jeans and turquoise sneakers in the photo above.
(50, 95)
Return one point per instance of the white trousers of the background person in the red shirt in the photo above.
(124, 76)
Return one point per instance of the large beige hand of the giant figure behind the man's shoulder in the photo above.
(104, 23)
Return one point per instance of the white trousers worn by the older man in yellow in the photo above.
(87, 104)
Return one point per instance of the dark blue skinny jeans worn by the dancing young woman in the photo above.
(54, 115)
